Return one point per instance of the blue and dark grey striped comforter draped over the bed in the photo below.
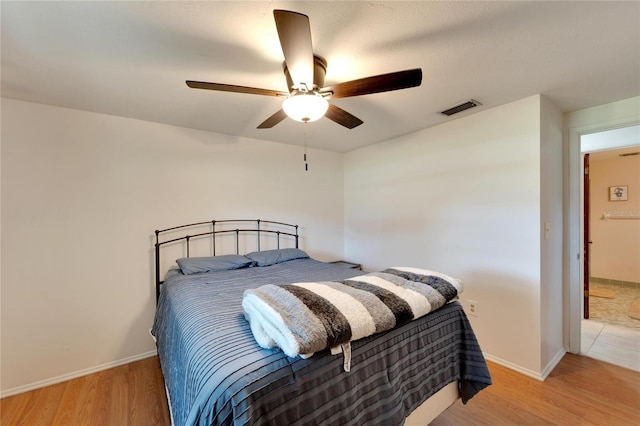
(217, 374)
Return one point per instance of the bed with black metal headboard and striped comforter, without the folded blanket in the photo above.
(216, 373)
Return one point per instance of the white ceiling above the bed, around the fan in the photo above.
(131, 59)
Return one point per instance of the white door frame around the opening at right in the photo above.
(574, 260)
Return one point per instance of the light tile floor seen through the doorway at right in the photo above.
(610, 335)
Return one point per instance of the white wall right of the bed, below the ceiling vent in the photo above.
(465, 198)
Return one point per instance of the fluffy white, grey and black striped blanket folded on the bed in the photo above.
(307, 317)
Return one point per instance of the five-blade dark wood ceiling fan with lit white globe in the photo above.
(307, 99)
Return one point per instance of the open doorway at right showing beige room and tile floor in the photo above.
(609, 272)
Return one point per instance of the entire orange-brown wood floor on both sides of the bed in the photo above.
(580, 391)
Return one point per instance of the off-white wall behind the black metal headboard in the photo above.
(82, 194)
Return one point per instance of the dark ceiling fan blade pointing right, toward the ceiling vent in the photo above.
(376, 84)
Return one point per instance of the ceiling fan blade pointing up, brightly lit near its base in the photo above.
(294, 32)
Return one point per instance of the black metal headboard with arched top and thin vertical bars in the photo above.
(246, 229)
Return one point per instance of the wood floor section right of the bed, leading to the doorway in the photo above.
(580, 391)
